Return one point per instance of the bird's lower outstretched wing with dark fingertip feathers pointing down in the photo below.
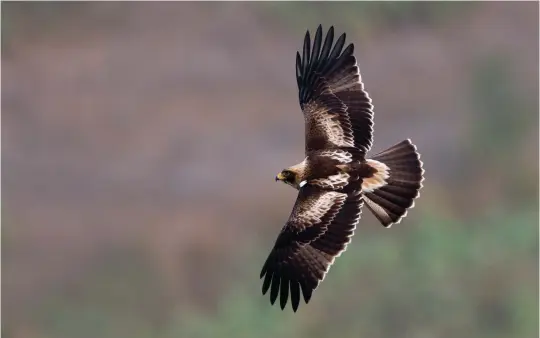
(318, 230)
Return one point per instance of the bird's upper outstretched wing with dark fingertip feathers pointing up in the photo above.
(337, 110)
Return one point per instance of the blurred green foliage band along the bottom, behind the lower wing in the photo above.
(440, 278)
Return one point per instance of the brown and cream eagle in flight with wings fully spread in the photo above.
(336, 178)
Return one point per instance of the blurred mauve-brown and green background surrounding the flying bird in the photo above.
(140, 142)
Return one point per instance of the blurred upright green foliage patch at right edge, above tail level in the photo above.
(502, 116)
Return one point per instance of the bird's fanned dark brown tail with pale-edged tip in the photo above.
(390, 202)
